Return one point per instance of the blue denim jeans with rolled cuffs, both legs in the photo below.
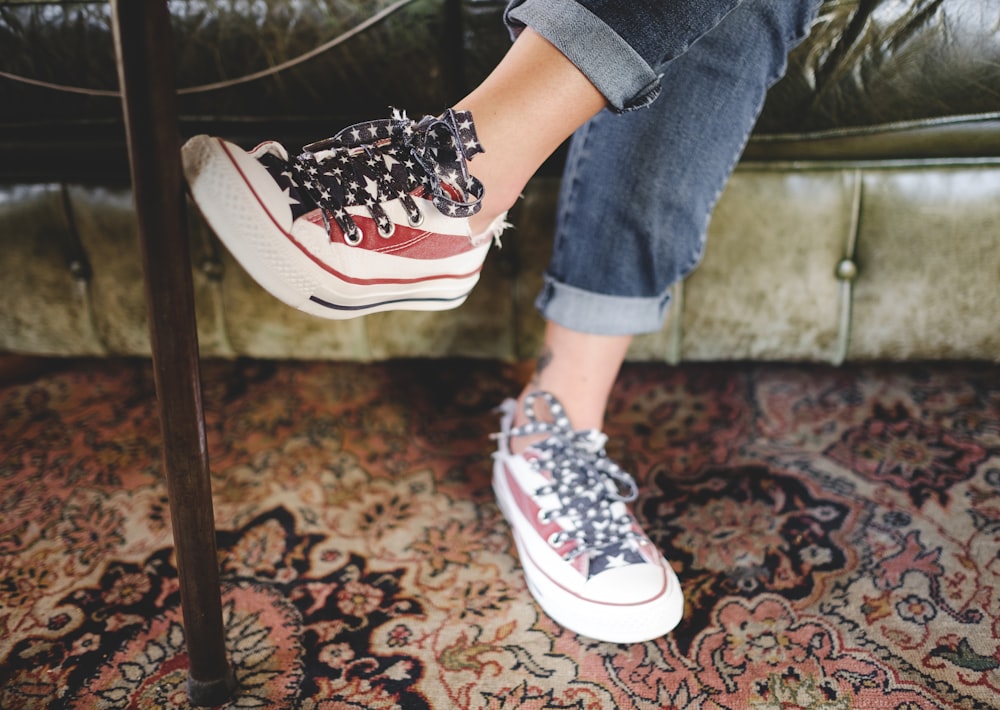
(639, 186)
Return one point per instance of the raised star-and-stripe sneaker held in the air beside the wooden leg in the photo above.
(372, 219)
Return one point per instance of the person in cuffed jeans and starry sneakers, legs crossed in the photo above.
(659, 98)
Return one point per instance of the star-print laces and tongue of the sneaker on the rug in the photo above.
(585, 482)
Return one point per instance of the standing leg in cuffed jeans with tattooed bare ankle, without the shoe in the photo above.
(671, 162)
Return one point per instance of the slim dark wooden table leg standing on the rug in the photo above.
(147, 75)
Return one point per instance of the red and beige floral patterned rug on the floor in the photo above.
(836, 532)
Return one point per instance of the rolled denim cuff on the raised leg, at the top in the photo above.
(624, 78)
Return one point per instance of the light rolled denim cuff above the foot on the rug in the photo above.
(598, 313)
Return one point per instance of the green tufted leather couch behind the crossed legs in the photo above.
(862, 223)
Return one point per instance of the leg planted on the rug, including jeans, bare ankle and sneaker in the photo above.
(637, 193)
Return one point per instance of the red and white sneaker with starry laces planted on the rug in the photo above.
(587, 562)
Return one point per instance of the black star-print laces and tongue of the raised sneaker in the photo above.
(371, 163)
